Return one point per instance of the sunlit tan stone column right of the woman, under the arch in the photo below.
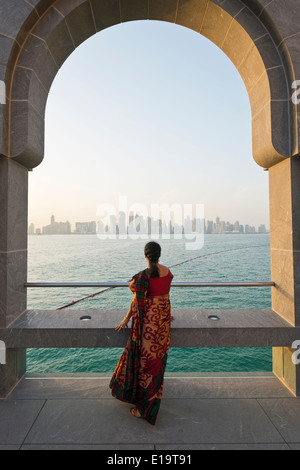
(284, 183)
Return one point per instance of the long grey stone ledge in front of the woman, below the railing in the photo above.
(191, 328)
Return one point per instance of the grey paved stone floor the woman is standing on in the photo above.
(197, 412)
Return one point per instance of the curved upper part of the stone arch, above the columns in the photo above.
(242, 29)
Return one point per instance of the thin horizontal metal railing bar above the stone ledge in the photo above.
(126, 284)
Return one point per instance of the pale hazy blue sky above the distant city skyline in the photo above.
(152, 112)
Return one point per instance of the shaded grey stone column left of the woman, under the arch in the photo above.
(13, 262)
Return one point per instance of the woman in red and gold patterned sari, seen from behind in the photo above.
(139, 375)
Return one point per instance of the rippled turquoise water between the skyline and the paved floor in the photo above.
(86, 258)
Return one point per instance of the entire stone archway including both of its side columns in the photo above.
(262, 39)
